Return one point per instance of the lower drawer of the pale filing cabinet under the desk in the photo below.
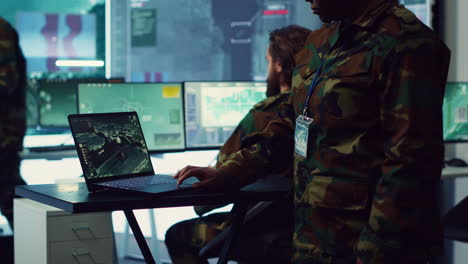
(82, 252)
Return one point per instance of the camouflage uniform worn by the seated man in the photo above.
(185, 239)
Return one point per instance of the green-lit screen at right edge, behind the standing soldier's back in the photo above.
(455, 111)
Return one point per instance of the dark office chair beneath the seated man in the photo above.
(263, 237)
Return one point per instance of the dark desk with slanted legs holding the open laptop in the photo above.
(74, 198)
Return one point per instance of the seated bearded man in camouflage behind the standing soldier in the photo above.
(185, 239)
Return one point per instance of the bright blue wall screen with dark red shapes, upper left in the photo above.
(47, 37)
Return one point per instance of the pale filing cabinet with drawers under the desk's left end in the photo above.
(45, 234)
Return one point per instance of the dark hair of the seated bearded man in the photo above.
(284, 44)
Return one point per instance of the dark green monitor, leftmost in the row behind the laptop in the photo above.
(57, 99)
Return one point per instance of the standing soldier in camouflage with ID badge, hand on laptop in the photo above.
(366, 187)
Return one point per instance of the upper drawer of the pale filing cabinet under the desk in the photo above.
(79, 227)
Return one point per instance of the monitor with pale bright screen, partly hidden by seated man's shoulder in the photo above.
(213, 110)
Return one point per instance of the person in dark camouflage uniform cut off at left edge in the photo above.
(12, 115)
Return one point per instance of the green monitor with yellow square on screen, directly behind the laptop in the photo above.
(159, 107)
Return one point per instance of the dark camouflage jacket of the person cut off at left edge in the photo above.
(12, 89)
